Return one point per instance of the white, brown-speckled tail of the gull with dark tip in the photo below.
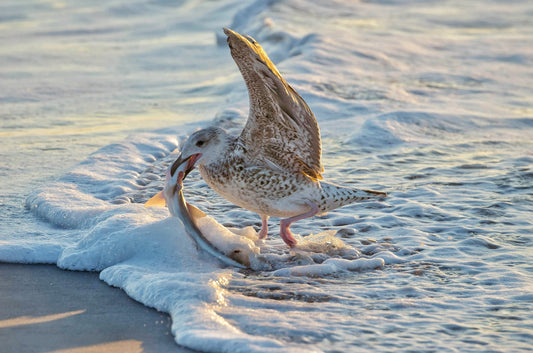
(334, 196)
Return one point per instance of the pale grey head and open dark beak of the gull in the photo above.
(201, 147)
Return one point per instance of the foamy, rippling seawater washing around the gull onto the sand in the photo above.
(429, 101)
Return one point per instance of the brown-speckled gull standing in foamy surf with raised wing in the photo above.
(274, 166)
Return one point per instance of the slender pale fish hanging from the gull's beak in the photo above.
(172, 196)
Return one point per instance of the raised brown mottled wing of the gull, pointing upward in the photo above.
(281, 129)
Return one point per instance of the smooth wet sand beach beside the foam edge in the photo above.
(45, 309)
